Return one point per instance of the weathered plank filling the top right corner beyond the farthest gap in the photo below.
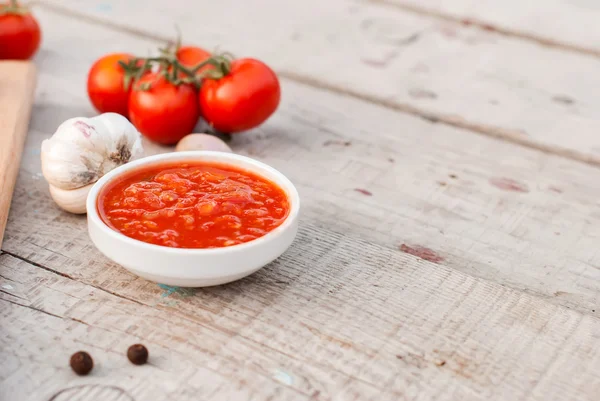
(570, 24)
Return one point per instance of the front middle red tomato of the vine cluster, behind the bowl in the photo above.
(165, 113)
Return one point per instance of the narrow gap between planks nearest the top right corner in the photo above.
(541, 40)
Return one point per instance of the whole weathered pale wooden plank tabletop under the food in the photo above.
(447, 155)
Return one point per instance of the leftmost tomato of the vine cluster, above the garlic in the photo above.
(105, 84)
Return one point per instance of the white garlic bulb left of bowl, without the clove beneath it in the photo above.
(84, 149)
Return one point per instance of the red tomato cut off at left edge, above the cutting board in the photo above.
(19, 34)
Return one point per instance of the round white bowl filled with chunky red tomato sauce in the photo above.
(193, 219)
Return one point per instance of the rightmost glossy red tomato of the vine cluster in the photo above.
(242, 99)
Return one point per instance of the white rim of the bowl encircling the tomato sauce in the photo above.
(236, 160)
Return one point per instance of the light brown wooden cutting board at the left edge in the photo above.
(17, 85)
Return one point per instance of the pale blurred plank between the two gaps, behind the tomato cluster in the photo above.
(461, 75)
